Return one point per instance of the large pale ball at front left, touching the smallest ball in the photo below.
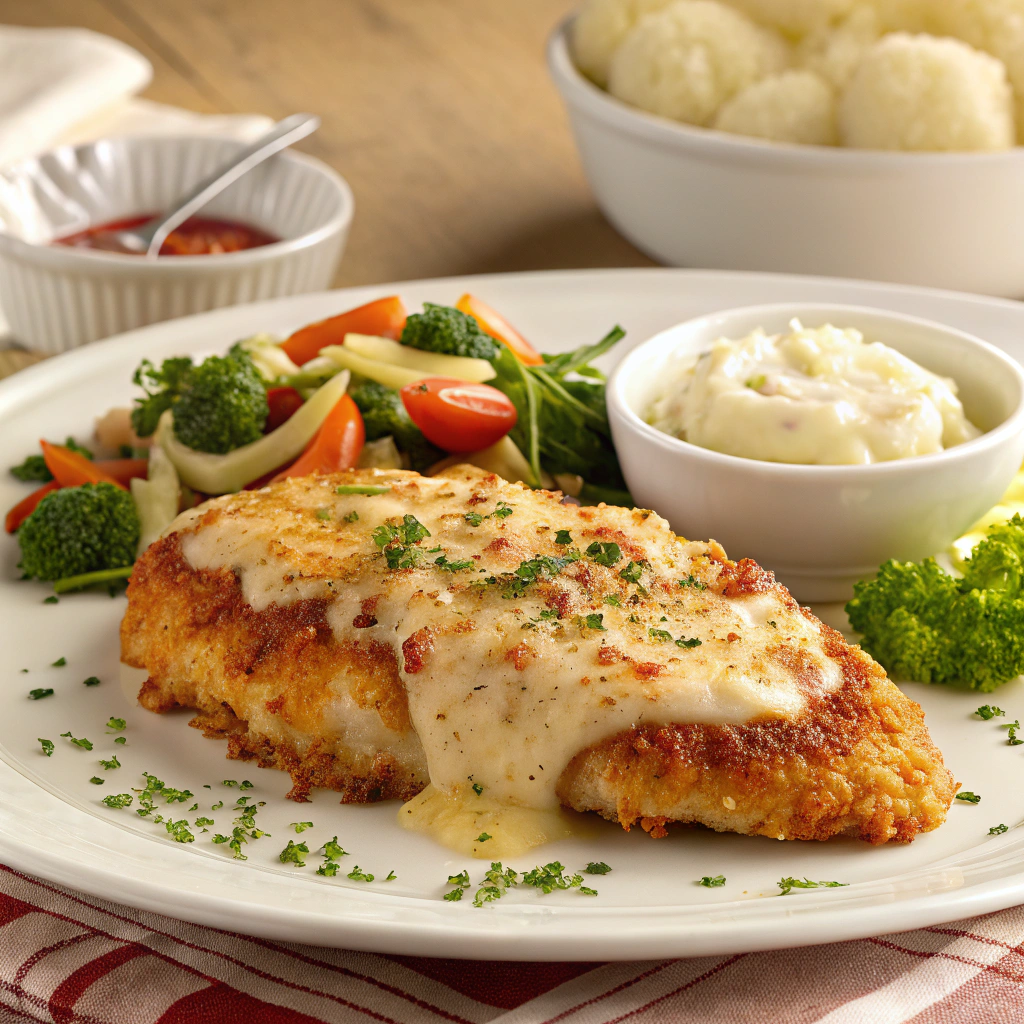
(688, 61)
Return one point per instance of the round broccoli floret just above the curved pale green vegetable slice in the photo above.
(223, 407)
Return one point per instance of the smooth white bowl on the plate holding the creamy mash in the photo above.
(822, 529)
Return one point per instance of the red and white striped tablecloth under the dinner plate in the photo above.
(70, 959)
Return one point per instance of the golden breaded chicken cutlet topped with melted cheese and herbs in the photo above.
(374, 631)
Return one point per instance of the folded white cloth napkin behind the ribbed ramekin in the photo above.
(70, 87)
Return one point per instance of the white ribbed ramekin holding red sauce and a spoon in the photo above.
(58, 297)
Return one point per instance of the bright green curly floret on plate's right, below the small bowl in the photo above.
(923, 624)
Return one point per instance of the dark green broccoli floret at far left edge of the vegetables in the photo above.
(79, 530)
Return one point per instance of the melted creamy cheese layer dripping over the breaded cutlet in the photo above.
(495, 703)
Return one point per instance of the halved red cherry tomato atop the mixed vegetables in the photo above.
(458, 416)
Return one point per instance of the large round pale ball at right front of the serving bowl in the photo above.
(923, 94)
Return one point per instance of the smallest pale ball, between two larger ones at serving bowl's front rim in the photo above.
(794, 107)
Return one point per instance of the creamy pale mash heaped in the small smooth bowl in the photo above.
(815, 397)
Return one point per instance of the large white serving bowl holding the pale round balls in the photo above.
(694, 197)
